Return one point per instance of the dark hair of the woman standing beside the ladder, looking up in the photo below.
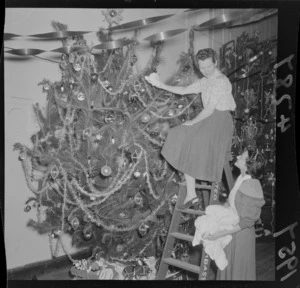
(255, 164)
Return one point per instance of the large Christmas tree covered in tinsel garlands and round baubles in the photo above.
(95, 167)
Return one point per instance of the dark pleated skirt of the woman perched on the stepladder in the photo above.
(199, 150)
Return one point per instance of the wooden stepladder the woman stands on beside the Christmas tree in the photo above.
(173, 234)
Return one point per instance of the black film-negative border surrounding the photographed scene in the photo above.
(287, 187)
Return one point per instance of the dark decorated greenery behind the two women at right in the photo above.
(250, 65)
